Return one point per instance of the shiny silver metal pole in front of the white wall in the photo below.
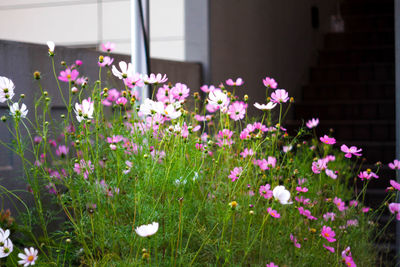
(138, 49)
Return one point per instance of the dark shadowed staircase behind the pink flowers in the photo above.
(352, 89)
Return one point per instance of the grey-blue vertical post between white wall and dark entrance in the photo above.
(197, 35)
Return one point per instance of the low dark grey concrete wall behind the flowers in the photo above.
(19, 60)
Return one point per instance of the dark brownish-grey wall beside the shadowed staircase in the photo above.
(259, 38)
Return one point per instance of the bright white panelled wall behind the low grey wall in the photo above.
(75, 23)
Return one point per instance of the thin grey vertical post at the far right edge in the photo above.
(397, 68)
